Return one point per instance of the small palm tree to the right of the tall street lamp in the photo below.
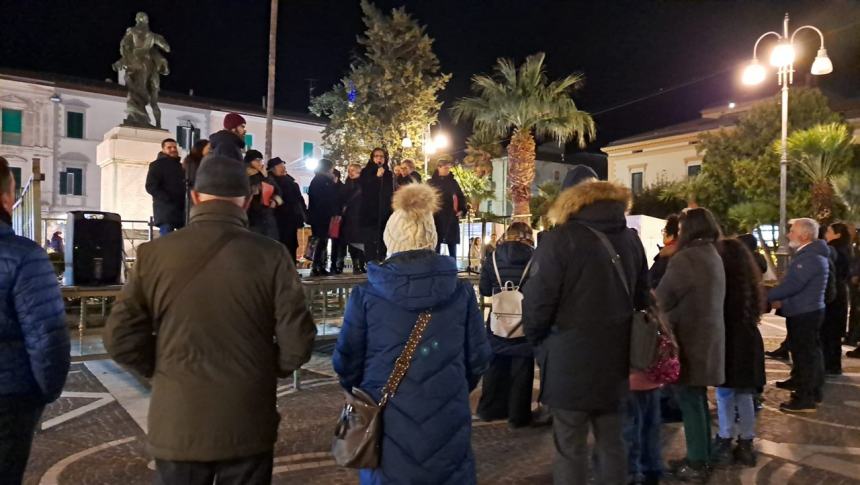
(821, 153)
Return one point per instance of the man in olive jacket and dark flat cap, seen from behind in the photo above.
(213, 314)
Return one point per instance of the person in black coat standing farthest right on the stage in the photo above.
(452, 207)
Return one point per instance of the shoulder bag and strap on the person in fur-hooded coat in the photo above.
(645, 329)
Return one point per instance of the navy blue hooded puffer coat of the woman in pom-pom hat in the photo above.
(427, 424)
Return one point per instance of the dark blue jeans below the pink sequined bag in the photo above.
(642, 435)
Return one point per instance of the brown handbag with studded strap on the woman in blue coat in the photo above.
(358, 432)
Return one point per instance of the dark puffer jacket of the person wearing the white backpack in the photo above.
(511, 258)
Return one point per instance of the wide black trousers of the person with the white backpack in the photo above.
(506, 390)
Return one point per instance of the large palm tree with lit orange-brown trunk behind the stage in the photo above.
(524, 102)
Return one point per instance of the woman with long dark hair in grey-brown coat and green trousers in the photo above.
(692, 294)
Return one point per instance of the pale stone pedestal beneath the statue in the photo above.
(124, 157)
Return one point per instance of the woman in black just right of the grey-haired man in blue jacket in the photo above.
(836, 314)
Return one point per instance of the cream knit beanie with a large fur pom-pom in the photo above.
(411, 226)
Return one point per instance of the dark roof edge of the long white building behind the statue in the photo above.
(117, 90)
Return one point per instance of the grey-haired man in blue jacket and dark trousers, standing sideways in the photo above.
(801, 298)
